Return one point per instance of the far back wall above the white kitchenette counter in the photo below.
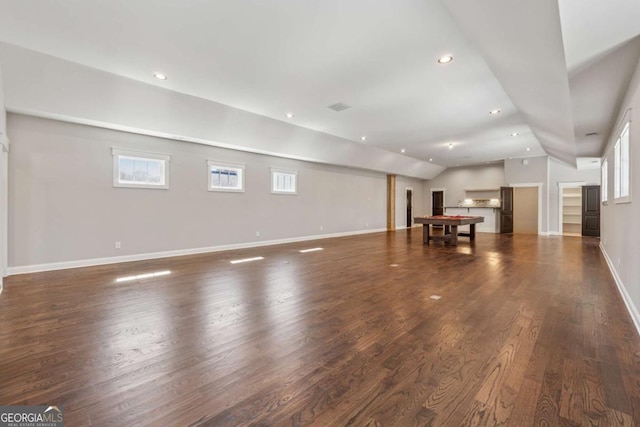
(456, 180)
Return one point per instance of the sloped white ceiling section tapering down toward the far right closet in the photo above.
(521, 41)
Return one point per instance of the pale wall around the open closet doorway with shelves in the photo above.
(561, 173)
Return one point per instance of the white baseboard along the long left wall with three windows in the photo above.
(26, 269)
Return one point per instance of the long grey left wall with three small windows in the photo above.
(64, 208)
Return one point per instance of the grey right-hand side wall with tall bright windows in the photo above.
(620, 229)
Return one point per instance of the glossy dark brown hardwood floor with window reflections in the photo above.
(529, 331)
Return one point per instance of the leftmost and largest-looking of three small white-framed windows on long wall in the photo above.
(136, 169)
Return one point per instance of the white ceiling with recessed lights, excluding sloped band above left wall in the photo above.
(555, 70)
